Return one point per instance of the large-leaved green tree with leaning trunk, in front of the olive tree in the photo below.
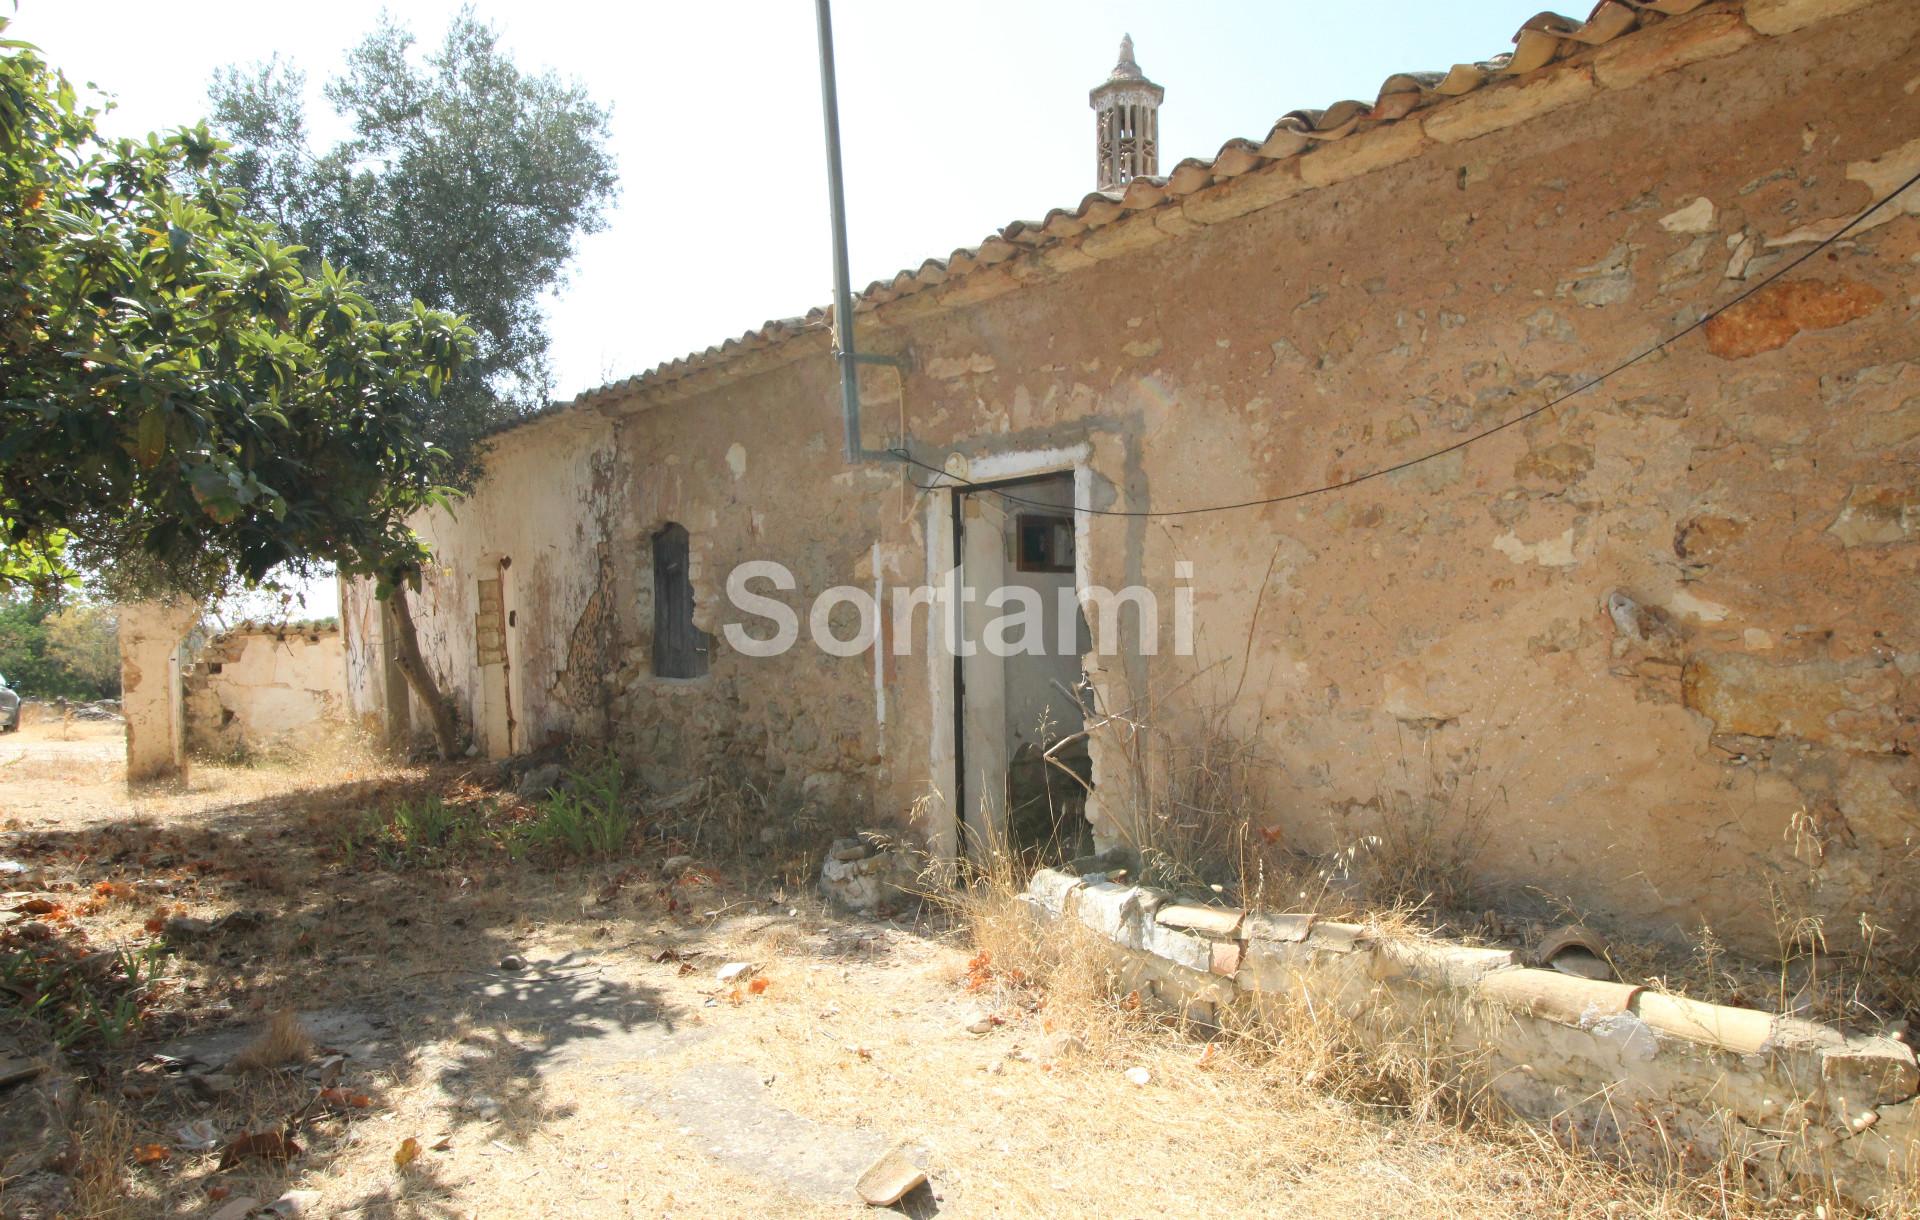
(183, 406)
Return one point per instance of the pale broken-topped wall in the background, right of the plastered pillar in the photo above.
(262, 689)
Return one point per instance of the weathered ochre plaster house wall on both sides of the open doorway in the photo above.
(1664, 637)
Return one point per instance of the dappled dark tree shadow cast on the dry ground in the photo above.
(429, 958)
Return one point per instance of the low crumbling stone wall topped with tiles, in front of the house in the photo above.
(1610, 1063)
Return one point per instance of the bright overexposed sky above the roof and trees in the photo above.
(955, 120)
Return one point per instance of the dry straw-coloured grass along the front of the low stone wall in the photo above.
(1378, 1119)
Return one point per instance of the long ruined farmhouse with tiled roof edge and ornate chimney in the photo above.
(1658, 639)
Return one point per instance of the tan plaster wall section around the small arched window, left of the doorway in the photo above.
(756, 474)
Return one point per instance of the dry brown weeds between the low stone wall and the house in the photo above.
(1199, 821)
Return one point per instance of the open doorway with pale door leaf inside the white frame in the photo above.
(1022, 756)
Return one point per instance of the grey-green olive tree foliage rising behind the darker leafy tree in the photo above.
(466, 183)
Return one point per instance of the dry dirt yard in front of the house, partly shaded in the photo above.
(483, 1037)
